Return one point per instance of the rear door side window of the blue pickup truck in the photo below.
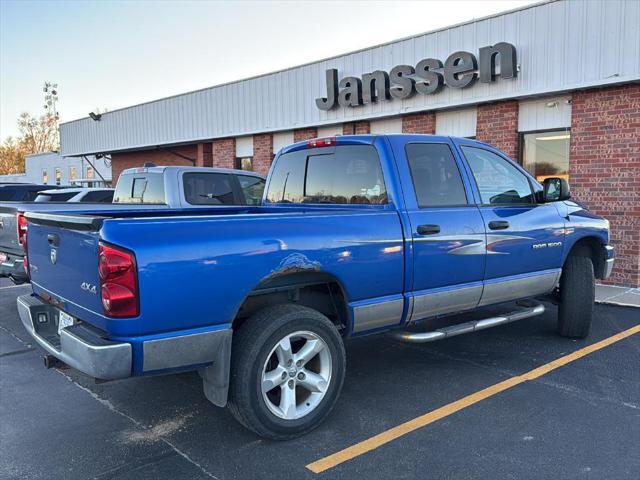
(436, 178)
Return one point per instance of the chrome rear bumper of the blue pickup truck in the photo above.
(79, 346)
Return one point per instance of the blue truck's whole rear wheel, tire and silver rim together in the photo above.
(287, 369)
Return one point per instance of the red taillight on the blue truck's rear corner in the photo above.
(118, 282)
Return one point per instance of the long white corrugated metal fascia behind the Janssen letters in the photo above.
(562, 45)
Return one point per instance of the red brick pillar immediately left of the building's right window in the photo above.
(497, 124)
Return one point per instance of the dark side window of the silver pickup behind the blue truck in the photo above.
(208, 189)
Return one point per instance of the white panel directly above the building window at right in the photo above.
(545, 113)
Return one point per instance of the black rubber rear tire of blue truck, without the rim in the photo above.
(252, 345)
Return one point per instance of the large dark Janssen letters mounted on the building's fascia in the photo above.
(429, 76)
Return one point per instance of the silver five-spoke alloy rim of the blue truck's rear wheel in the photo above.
(296, 375)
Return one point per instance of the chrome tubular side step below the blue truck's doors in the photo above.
(531, 309)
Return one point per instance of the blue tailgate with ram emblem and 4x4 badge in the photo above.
(63, 260)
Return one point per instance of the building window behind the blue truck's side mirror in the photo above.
(546, 154)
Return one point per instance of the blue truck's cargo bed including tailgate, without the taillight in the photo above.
(203, 260)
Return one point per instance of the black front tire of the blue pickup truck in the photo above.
(577, 295)
